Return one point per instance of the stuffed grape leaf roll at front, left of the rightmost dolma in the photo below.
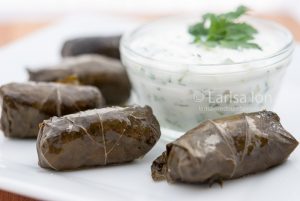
(97, 137)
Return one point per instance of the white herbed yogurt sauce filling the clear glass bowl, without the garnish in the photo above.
(181, 94)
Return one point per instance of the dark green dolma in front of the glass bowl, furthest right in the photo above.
(225, 148)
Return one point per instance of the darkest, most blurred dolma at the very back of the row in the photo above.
(103, 45)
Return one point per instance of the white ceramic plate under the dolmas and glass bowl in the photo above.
(20, 173)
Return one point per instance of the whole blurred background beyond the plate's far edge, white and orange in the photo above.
(19, 17)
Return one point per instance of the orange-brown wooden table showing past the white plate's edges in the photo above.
(12, 31)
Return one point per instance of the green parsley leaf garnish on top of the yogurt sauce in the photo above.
(224, 30)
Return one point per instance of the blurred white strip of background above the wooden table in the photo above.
(47, 8)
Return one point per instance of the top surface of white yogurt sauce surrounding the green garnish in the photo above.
(173, 43)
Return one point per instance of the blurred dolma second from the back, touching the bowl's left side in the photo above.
(107, 74)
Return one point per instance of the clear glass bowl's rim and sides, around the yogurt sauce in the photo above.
(182, 94)
